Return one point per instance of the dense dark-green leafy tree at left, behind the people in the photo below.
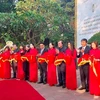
(23, 28)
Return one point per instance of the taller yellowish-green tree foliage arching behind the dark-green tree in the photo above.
(55, 16)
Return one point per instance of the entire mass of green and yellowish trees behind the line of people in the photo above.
(34, 20)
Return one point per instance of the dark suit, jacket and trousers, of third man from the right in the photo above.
(43, 68)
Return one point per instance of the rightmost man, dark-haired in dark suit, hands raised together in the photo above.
(84, 69)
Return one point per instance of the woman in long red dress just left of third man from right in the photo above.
(33, 68)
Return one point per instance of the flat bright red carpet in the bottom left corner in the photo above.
(18, 90)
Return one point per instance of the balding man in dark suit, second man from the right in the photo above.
(62, 67)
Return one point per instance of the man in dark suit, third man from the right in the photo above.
(43, 65)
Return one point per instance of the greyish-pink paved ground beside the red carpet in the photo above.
(57, 93)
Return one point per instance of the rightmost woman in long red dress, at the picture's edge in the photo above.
(95, 70)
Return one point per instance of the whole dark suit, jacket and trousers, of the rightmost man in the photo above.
(84, 69)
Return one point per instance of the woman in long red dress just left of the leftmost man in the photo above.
(6, 64)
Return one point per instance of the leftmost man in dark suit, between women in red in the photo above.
(14, 64)
